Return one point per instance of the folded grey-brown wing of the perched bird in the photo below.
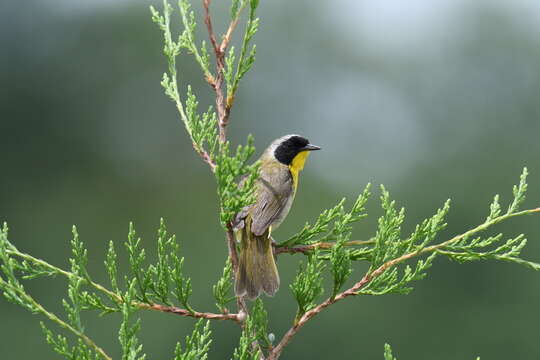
(273, 191)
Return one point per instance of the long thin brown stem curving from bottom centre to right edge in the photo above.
(275, 353)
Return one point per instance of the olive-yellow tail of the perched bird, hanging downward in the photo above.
(257, 269)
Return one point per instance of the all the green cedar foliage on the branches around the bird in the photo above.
(395, 259)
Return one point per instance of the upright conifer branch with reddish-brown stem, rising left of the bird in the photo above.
(202, 131)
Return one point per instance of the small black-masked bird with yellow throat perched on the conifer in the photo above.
(275, 189)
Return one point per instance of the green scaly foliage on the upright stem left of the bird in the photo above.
(229, 167)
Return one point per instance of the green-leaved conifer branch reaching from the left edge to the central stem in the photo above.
(158, 281)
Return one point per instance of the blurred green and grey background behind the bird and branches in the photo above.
(435, 99)
